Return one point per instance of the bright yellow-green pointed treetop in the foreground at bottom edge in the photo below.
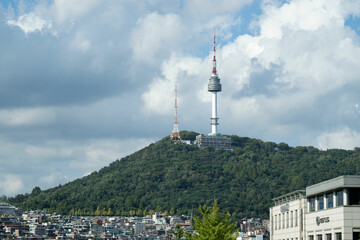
(213, 225)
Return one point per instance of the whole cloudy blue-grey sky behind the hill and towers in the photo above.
(86, 82)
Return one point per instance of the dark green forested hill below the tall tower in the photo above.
(177, 177)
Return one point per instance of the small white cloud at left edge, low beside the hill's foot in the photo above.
(11, 184)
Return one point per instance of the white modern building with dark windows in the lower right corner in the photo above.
(328, 210)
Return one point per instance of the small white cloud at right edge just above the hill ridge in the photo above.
(343, 138)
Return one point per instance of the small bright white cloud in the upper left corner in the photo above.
(30, 23)
